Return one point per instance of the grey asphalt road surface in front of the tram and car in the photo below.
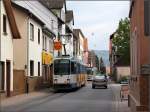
(85, 99)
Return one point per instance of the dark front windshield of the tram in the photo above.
(61, 67)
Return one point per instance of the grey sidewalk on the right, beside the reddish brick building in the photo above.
(119, 106)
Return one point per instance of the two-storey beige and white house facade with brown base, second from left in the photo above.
(28, 58)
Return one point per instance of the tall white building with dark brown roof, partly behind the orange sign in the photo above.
(58, 7)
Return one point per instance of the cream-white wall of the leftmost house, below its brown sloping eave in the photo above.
(6, 44)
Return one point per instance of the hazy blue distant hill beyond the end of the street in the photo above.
(104, 54)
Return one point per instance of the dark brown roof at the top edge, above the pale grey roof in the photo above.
(53, 4)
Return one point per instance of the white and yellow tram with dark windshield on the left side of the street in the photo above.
(68, 74)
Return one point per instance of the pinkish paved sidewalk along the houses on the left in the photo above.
(24, 98)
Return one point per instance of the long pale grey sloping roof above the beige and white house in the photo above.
(41, 12)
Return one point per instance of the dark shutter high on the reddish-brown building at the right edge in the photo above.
(147, 17)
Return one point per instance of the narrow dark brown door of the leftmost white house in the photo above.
(8, 73)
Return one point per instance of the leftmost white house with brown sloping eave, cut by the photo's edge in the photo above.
(8, 33)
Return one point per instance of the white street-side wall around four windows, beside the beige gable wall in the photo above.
(35, 49)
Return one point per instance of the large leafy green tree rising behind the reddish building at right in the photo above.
(121, 41)
